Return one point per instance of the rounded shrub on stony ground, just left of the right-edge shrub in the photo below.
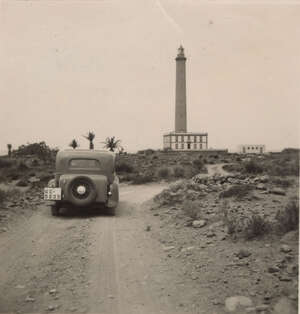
(255, 226)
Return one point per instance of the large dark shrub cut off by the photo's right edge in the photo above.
(288, 218)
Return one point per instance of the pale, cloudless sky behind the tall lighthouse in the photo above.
(68, 67)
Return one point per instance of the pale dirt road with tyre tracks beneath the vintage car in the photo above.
(89, 262)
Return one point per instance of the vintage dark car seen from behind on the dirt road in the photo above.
(83, 178)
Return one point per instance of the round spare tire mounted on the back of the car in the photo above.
(79, 198)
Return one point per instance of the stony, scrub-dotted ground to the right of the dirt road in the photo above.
(245, 270)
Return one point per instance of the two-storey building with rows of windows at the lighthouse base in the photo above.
(185, 141)
